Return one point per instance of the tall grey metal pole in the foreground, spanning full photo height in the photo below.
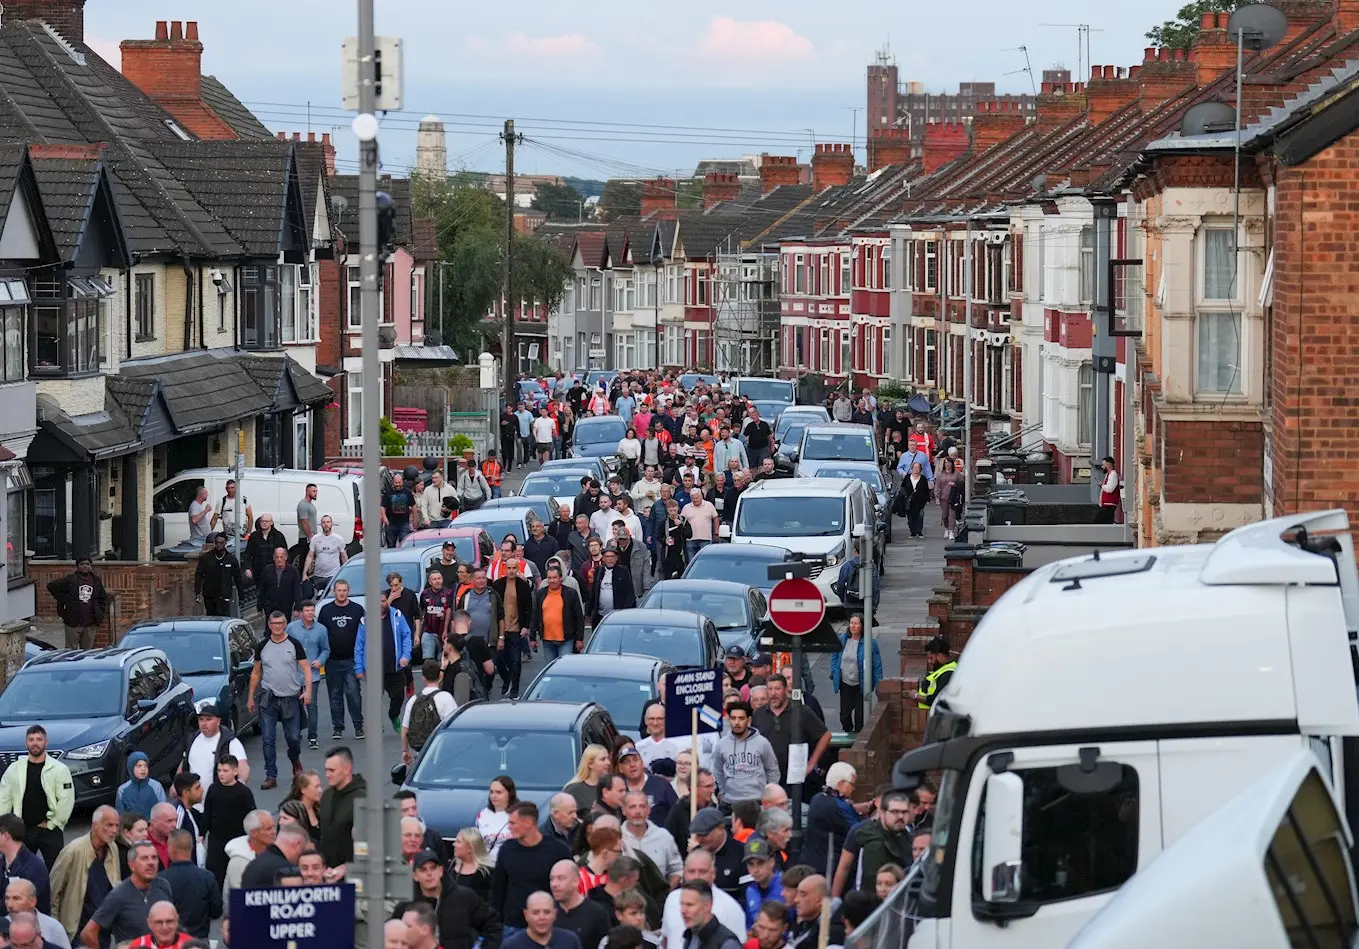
(370, 303)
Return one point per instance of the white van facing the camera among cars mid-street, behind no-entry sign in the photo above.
(816, 517)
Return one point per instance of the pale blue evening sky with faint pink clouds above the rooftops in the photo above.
(607, 89)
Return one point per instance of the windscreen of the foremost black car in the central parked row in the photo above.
(471, 758)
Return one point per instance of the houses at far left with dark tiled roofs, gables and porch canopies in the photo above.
(158, 288)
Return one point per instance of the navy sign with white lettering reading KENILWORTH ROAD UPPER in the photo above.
(302, 917)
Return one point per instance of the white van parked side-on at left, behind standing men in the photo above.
(267, 491)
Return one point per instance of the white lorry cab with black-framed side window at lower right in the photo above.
(1108, 705)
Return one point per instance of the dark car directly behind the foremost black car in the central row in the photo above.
(623, 685)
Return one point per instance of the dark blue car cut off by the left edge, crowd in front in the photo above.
(99, 708)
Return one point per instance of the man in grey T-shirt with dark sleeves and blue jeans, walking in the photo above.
(281, 683)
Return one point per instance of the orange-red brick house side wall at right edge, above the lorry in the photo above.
(1313, 365)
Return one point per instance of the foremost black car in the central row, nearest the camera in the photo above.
(537, 743)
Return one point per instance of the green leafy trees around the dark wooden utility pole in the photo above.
(471, 225)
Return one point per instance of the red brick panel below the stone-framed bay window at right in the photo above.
(1213, 463)
